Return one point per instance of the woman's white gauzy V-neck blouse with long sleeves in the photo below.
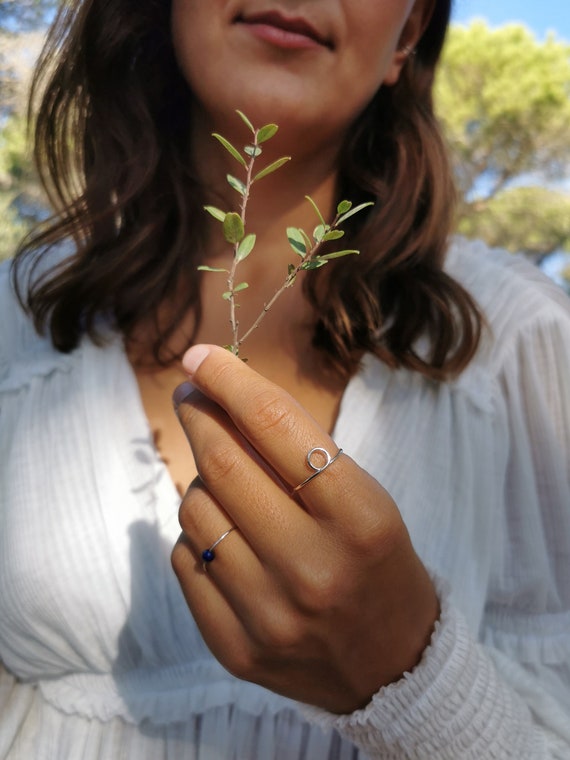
(101, 658)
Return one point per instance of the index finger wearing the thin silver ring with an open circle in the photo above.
(273, 422)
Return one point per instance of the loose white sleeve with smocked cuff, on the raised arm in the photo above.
(506, 692)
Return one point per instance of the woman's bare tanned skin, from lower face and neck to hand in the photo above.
(318, 596)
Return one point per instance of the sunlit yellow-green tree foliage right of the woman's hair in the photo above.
(504, 99)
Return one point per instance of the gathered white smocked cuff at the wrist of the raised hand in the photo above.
(452, 706)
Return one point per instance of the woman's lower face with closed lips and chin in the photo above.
(305, 64)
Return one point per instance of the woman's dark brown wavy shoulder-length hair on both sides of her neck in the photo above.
(111, 147)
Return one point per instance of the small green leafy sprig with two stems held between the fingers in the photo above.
(306, 247)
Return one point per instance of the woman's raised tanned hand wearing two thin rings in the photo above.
(317, 596)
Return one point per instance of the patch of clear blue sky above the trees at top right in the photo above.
(541, 16)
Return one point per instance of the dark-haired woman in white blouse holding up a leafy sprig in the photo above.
(427, 620)
